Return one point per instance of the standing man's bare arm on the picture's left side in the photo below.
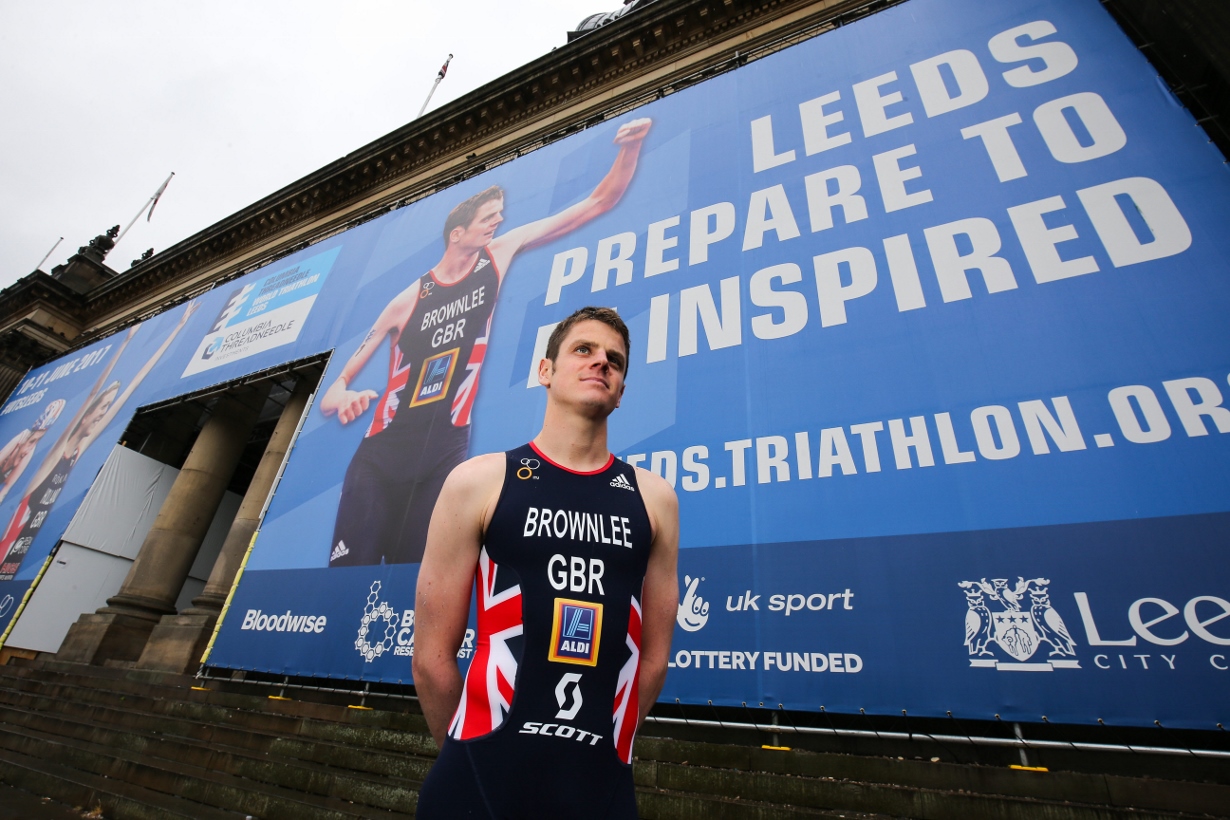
(442, 601)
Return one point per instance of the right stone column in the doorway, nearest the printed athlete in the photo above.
(179, 641)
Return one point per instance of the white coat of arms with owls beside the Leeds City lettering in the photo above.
(1019, 621)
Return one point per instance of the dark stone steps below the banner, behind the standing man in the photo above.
(149, 746)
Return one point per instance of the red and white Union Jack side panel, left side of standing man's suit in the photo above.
(488, 694)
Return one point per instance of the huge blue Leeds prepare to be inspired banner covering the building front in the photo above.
(928, 333)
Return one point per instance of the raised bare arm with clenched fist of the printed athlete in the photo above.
(603, 199)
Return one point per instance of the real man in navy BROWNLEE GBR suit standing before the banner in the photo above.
(574, 556)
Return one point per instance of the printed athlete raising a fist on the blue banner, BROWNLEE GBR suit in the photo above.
(437, 331)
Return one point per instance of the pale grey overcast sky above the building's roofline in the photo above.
(101, 101)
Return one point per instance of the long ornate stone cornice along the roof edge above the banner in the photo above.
(539, 103)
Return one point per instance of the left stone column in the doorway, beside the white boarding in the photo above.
(120, 630)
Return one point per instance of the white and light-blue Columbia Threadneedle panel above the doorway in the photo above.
(263, 315)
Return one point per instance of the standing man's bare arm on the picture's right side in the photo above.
(660, 599)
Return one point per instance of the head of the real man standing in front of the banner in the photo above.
(590, 369)
